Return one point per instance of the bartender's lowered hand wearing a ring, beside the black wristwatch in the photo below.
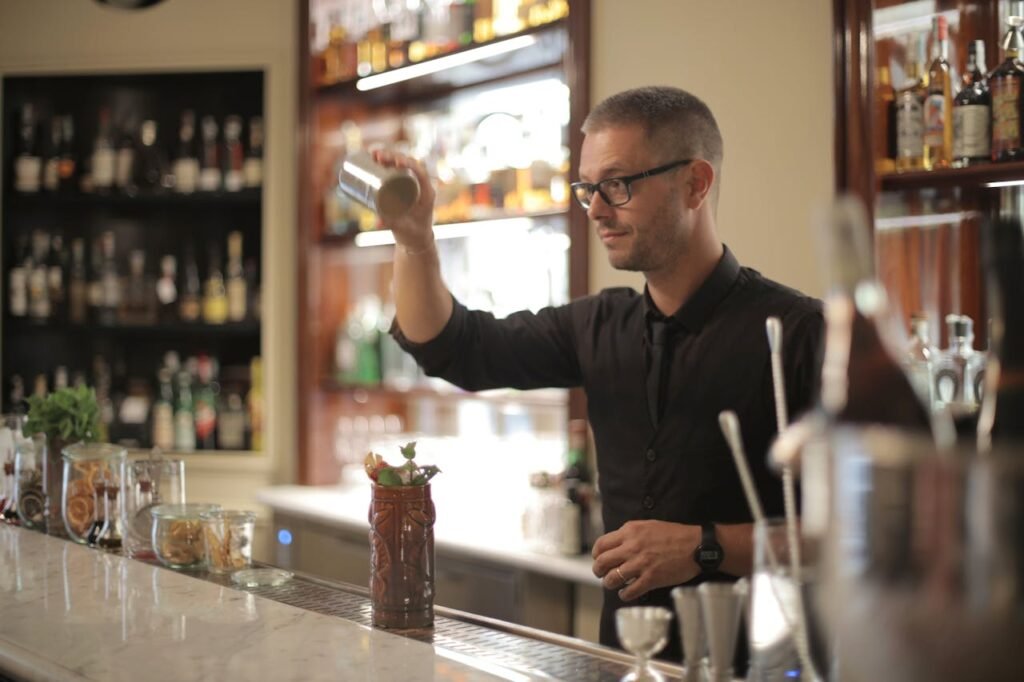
(645, 556)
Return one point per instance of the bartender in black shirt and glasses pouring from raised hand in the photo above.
(658, 368)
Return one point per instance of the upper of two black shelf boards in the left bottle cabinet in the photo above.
(163, 200)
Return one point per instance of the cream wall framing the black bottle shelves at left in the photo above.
(81, 36)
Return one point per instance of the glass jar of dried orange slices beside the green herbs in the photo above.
(89, 470)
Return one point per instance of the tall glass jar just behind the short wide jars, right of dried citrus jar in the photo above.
(146, 484)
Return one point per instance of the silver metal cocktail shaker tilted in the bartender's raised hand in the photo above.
(388, 192)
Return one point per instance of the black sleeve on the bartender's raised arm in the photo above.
(478, 352)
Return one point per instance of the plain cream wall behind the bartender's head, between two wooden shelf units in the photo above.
(765, 69)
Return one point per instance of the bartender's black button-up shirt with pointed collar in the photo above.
(716, 359)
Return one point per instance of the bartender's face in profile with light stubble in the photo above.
(650, 233)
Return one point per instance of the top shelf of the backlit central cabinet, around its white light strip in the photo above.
(547, 53)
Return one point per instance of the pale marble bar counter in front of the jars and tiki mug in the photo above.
(71, 613)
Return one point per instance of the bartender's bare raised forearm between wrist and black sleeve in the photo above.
(423, 304)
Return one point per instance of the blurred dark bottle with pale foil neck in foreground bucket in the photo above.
(862, 383)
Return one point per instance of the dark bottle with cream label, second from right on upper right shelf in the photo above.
(973, 112)
